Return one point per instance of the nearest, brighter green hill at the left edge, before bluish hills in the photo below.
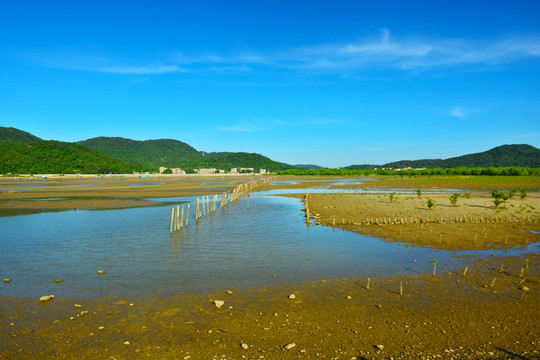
(56, 157)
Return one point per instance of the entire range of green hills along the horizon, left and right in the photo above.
(22, 152)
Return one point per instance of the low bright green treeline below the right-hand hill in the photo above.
(490, 171)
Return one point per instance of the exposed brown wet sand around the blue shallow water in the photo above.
(488, 312)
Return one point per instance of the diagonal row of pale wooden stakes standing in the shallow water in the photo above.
(208, 204)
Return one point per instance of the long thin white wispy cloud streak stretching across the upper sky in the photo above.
(384, 51)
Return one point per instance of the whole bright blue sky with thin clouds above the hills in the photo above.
(332, 83)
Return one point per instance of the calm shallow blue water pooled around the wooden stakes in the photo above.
(242, 245)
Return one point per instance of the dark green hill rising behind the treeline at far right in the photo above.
(501, 156)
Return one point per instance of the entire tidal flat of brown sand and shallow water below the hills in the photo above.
(478, 299)
